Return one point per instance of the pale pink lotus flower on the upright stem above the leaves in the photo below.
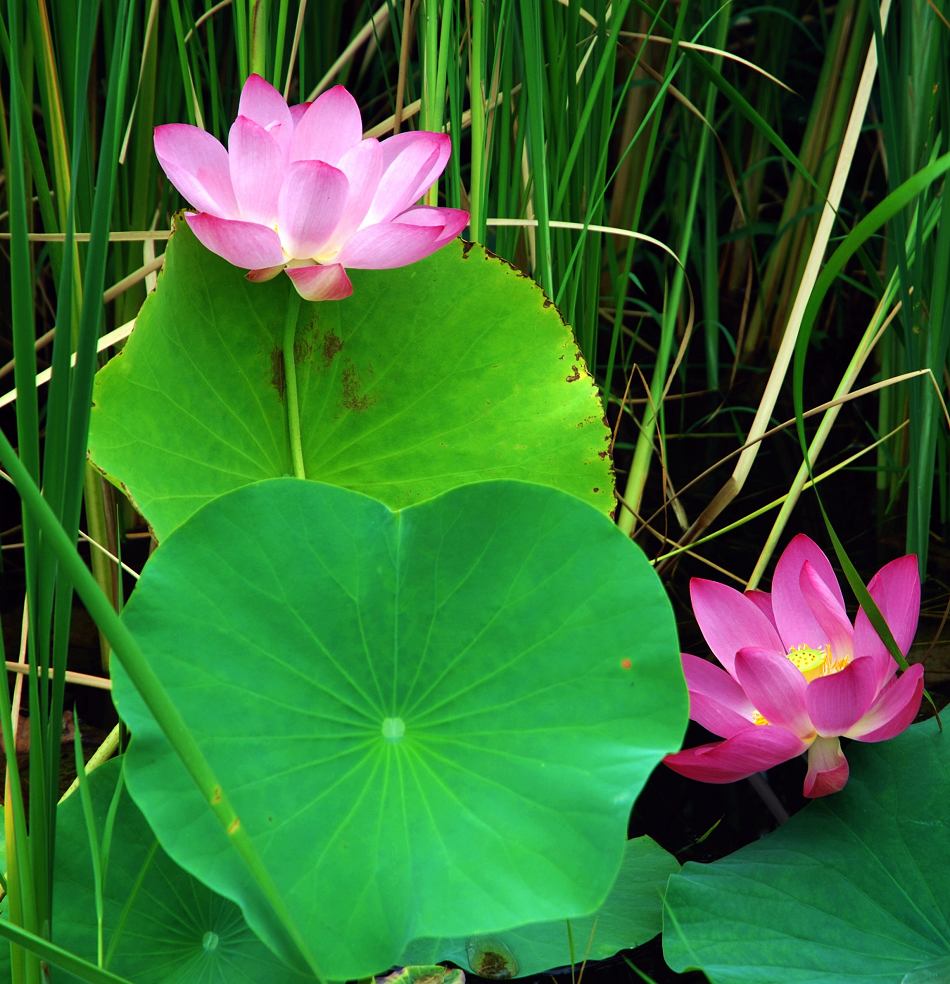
(300, 190)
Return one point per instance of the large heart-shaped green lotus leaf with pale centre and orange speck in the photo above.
(431, 722)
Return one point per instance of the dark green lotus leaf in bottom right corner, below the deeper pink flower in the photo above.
(855, 888)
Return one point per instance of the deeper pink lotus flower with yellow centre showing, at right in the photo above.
(798, 675)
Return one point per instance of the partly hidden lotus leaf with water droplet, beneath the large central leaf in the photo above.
(630, 915)
